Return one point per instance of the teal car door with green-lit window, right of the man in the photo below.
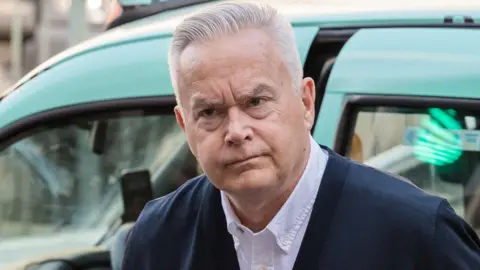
(409, 106)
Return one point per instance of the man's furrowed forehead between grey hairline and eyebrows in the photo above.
(225, 74)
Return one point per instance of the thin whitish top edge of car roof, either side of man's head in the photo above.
(304, 12)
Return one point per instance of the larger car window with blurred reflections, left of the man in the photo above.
(53, 186)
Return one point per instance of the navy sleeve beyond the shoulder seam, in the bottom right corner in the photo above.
(455, 244)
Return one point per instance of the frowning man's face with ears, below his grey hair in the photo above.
(244, 121)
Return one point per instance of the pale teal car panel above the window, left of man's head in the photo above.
(135, 66)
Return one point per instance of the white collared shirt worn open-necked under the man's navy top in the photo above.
(276, 246)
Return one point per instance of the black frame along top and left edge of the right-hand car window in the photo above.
(353, 103)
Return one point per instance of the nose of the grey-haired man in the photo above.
(238, 129)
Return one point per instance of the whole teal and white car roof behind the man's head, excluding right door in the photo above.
(128, 51)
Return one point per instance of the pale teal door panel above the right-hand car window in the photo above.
(405, 61)
